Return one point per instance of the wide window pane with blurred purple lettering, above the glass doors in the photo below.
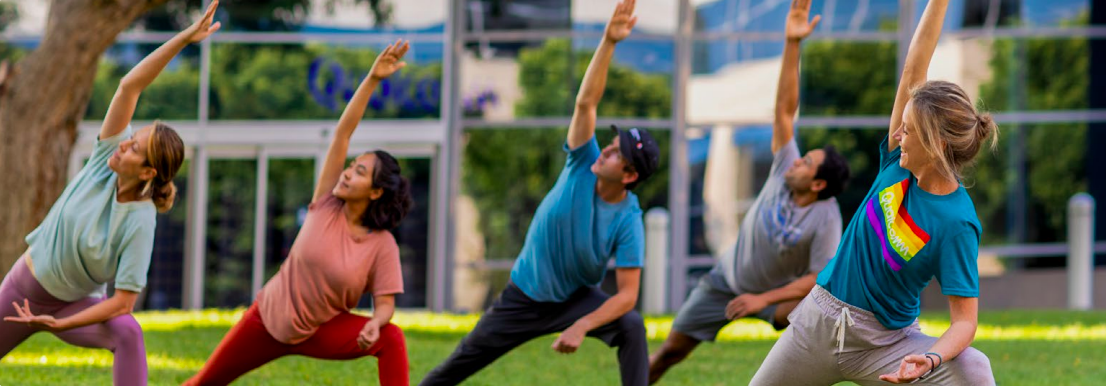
(316, 81)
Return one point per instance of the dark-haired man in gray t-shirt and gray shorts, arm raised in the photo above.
(788, 236)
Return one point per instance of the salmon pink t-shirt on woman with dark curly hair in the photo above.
(327, 273)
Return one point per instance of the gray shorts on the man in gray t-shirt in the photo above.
(704, 314)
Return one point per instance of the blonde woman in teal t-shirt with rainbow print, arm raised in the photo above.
(917, 223)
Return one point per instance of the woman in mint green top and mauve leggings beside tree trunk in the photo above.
(101, 229)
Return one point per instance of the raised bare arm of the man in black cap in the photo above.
(596, 80)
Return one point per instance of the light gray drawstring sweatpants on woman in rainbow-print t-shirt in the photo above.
(811, 352)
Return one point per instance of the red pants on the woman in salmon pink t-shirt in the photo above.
(249, 346)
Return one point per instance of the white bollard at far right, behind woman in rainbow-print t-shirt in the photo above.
(1081, 259)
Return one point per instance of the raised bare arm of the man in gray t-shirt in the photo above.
(787, 95)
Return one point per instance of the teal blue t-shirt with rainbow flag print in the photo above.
(900, 239)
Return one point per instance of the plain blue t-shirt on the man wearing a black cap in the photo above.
(572, 237)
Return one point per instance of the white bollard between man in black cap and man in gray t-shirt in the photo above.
(656, 262)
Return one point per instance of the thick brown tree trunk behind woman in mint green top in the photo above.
(44, 101)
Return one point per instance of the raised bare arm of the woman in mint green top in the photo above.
(127, 97)
